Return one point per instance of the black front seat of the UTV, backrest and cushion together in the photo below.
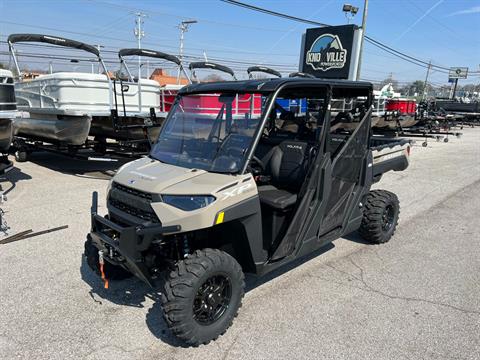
(286, 165)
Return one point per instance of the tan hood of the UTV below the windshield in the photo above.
(153, 176)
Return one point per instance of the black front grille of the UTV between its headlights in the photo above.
(133, 202)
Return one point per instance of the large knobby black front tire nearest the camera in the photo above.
(180, 298)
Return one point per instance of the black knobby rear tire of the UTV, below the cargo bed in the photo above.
(380, 216)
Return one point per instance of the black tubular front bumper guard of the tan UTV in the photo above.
(124, 245)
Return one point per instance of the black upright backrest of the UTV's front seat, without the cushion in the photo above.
(287, 164)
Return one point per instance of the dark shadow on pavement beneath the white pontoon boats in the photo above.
(95, 169)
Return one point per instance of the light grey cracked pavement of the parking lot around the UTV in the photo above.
(417, 297)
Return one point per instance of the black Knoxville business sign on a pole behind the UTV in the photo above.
(330, 52)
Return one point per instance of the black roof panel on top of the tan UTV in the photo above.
(271, 85)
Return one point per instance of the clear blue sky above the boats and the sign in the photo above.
(447, 32)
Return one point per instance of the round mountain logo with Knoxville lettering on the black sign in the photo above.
(327, 53)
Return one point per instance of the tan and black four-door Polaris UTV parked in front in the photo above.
(245, 191)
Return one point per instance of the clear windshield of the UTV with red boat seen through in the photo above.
(209, 131)
